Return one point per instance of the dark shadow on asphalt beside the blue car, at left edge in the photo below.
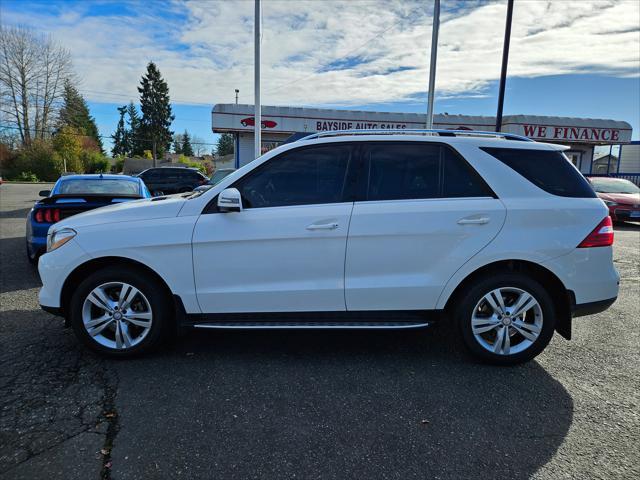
(16, 272)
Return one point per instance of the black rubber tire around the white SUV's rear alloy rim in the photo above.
(471, 297)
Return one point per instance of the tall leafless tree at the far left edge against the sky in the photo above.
(32, 73)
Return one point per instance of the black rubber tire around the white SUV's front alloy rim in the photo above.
(155, 293)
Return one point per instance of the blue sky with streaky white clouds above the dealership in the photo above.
(567, 58)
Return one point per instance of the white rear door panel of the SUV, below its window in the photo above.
(401, 253)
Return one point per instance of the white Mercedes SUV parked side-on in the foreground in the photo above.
(369, 230)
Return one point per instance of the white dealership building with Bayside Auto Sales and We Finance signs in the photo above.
(582, 135)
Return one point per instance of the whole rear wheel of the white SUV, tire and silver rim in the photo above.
(506, 318)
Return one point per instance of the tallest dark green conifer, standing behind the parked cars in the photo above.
(156, 111)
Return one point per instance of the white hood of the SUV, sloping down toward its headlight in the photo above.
(146, 209)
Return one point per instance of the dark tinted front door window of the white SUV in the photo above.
(300, 177)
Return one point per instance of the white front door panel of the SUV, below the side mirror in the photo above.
(280, 259)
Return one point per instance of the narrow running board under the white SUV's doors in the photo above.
(311, 325)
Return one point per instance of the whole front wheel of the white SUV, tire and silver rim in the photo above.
(120, 312)
